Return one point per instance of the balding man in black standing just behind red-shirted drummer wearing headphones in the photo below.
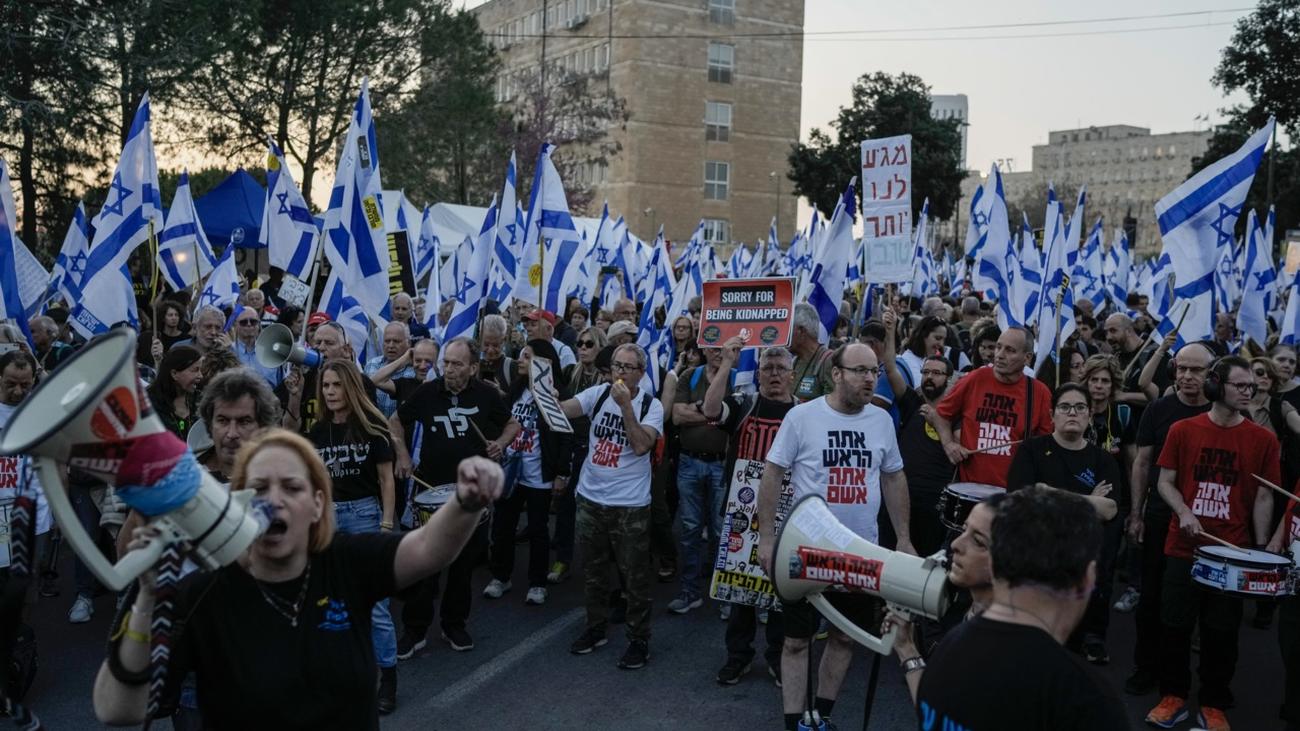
(1149, 520)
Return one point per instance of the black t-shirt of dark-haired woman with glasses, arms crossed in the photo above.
(1043, 460)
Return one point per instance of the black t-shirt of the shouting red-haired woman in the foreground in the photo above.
(255, 671)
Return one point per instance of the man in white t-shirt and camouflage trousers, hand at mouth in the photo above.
(614, 501)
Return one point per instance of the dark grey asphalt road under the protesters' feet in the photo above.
(521, 674)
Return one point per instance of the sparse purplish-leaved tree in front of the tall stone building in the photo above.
(570, 114)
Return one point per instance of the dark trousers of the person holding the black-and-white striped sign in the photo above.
(538, 503)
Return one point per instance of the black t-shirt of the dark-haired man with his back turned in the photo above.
(999, 677)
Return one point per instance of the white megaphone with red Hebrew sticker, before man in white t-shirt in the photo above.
(816, 552)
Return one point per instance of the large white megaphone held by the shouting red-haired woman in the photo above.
(88, 414)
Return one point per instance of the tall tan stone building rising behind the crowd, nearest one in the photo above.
(713, 90)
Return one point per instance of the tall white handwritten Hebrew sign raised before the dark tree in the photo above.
(887, 209)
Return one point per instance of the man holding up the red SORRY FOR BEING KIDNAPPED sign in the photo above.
(753, 422)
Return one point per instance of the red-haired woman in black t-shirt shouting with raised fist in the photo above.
(281, 639)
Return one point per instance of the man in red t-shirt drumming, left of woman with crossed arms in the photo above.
(998, 409)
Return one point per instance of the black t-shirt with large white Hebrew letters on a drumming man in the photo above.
(448, 435)
